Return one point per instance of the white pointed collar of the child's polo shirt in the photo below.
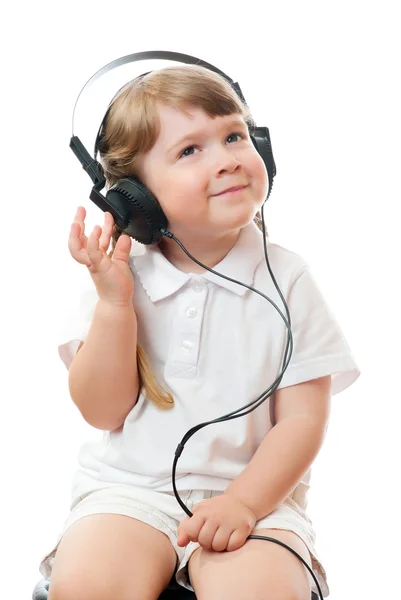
(161, 279)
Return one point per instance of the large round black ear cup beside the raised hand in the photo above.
(141, 210)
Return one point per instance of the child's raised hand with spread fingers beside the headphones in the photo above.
(112, 276)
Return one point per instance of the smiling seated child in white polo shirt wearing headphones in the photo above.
(162, 345)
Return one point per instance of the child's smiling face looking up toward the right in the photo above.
(187, 176)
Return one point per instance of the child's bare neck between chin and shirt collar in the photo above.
(207, 250)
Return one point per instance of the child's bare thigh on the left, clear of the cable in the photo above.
(109, 556)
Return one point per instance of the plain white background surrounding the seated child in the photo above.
(324, 77)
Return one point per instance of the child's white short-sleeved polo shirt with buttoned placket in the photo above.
(216, 346)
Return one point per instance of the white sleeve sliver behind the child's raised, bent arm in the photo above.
(75, 325)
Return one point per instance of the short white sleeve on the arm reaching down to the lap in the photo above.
(319, 346)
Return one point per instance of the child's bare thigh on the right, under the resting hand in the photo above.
(259, 570)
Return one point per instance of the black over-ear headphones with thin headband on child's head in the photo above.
(135, 209)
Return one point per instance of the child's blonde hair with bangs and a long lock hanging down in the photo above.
(131, 128)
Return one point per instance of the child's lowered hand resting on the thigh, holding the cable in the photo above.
(219, 523)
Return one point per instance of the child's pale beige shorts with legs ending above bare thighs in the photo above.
(162, 511)
